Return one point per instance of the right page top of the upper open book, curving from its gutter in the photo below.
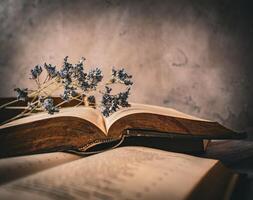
(144, 108)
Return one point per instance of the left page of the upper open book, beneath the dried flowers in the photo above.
(92, 115)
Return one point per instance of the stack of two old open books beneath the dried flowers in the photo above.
(153, 159)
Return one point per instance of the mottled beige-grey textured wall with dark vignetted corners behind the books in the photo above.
(195, 56)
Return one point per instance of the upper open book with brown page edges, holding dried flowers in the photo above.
(85, 129)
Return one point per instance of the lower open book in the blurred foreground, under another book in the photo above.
(122, 173)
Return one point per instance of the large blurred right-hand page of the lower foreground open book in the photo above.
(122, 173)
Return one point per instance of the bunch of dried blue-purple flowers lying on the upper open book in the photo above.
(75, 84)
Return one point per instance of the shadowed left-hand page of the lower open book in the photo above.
(16, 167)
